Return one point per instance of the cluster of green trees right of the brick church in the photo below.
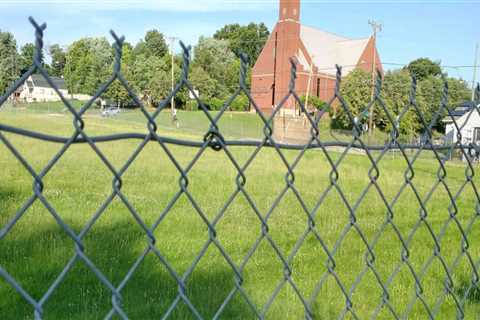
(396, 88)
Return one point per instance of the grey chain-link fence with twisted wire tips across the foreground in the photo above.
(213, 139)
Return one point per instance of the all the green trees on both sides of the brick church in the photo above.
(88, 62)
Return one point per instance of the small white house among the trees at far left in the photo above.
(37, 89)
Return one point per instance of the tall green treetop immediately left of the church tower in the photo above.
(249, 39)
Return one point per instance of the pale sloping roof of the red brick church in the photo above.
(329, 49)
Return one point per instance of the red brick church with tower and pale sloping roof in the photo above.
(310, 47)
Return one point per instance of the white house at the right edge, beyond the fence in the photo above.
(468, 120)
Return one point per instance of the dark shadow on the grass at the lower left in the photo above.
(148, 295)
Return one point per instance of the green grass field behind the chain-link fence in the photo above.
(36, 249)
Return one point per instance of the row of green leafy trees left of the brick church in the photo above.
(87, 63)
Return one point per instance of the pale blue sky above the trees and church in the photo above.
(442, 30)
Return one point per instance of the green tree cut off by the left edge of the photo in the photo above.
(9, 60)
